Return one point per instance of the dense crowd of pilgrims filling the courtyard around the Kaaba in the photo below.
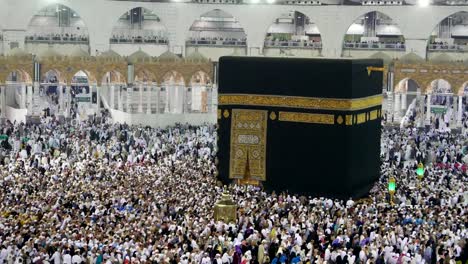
(108, 193)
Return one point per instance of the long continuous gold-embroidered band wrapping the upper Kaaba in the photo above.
(338, 104)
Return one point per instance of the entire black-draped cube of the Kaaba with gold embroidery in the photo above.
(307, 126)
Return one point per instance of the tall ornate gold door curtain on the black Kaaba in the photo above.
(248, 144)
